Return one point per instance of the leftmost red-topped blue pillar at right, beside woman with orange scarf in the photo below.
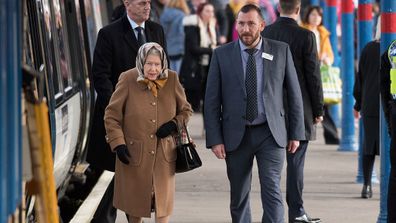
(332, 27)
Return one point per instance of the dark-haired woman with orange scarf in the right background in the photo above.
(313, 21)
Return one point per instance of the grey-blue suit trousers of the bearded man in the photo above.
(257, 142)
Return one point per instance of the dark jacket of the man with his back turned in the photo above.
(304, 51)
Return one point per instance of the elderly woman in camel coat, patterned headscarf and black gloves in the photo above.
(145, 109)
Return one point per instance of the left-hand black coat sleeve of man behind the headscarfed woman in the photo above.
(101, 68)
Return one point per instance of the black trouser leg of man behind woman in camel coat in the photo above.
(106, 213)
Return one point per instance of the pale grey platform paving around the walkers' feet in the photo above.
(330, 190)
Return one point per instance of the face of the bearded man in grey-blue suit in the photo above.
(249, 26)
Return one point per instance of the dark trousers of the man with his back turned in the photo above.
(295, 180)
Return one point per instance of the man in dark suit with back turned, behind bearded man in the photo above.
(303, 48)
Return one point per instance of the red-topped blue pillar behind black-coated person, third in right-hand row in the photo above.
(365, 32)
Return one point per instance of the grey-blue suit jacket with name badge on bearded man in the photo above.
(225, 101)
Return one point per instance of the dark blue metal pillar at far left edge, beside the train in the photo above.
(10, 108)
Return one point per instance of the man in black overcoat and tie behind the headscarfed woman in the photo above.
(115, 52)
